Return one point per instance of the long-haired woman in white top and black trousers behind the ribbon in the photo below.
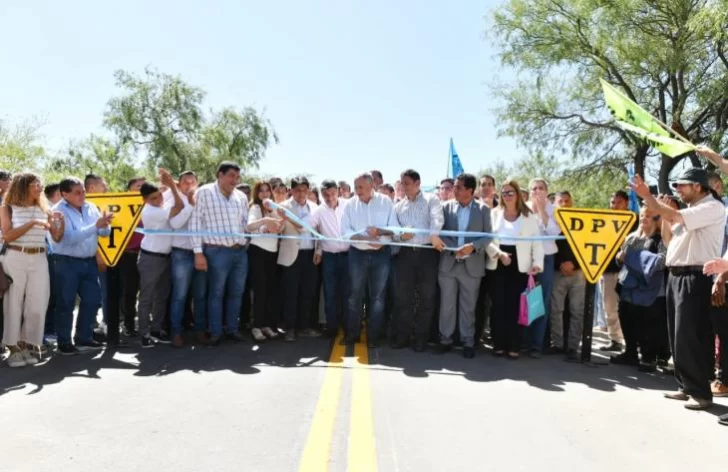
(263, 252)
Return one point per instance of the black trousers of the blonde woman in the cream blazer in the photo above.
(508, 283)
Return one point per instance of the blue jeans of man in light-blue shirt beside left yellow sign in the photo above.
(74, 276)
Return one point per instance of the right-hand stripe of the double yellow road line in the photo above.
(362, 451)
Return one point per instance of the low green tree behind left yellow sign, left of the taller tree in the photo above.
(96, 155)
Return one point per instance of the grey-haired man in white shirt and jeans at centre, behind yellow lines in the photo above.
(369, 261)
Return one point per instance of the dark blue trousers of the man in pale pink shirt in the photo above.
(335, 277)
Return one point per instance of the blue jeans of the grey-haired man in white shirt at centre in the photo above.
(367, 268)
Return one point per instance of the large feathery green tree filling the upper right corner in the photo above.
(667, 55)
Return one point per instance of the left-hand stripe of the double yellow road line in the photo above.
(317, 451)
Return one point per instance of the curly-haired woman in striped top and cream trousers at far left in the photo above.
(25, 220)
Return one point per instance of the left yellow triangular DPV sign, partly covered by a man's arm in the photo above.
(127, 209)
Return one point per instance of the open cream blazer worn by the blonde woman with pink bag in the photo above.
(529, 253)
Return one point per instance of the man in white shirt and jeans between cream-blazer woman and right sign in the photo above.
(538, 203)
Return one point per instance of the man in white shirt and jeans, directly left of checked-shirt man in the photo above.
(182, 264)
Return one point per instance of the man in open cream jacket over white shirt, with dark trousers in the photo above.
(299, 275)
